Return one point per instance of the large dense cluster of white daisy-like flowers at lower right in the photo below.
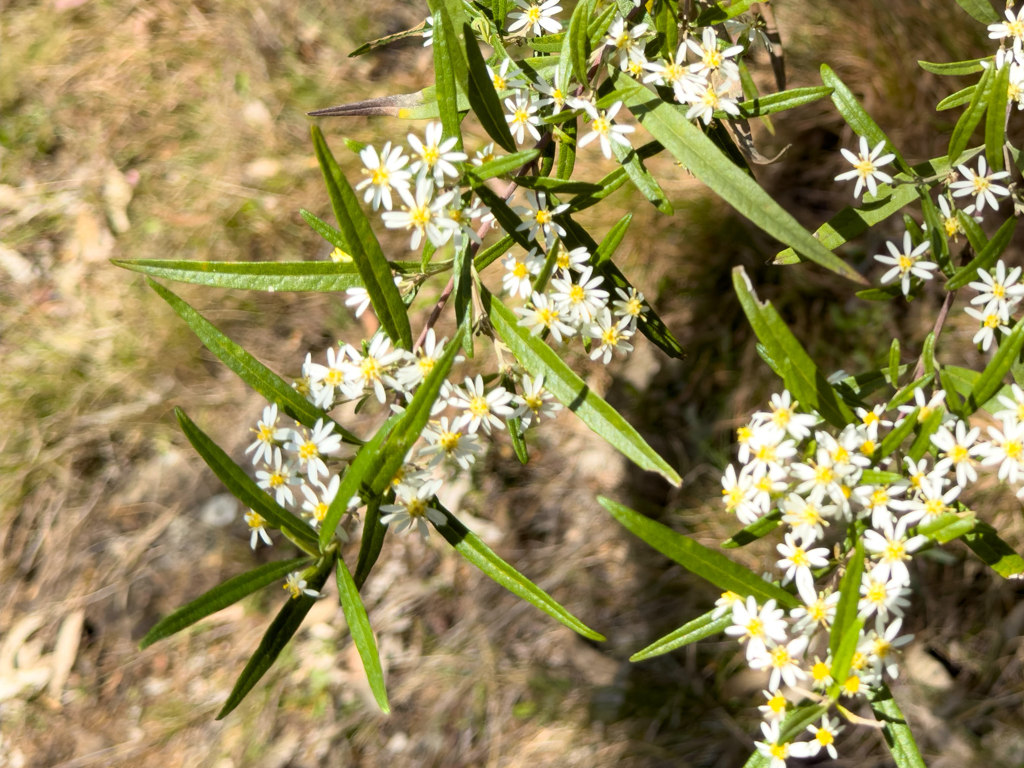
(827, 488)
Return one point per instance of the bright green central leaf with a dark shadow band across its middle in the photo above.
(538, 359)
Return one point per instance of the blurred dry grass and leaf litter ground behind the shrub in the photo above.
(176, 130)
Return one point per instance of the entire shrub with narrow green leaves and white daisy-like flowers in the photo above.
(862, 473)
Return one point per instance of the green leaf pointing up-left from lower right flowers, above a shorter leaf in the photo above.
(710, 566)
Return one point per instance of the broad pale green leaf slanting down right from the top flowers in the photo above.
(692, 148)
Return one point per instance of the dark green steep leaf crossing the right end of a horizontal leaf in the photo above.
(364, 248)
